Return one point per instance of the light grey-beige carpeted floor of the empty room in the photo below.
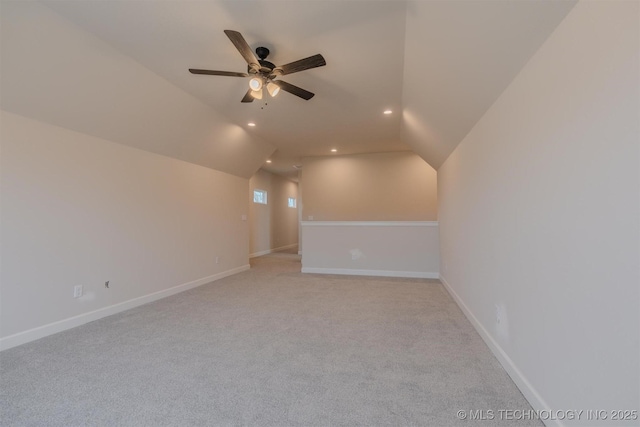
(267, 347)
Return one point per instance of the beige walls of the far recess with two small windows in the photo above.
(275, 225)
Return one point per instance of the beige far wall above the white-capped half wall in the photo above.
(369, 187)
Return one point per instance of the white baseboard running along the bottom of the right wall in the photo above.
(529, 392)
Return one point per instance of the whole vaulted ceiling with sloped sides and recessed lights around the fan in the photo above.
(118, 70)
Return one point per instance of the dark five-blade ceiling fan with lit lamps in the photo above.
(264, 73)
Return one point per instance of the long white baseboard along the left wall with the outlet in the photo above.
(62, 325)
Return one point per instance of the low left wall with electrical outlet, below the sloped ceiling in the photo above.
(79, 210)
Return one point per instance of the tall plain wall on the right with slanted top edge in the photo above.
(540, 217)
